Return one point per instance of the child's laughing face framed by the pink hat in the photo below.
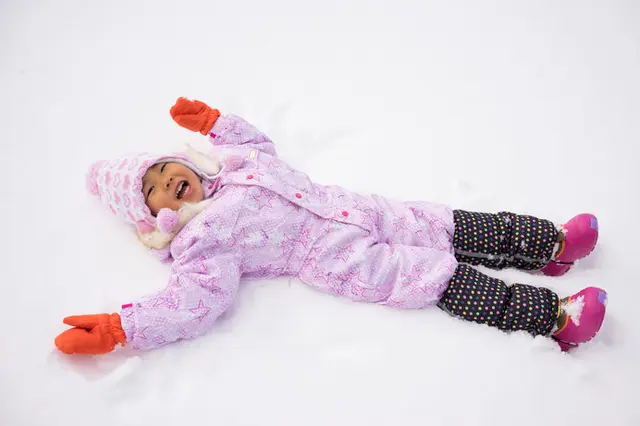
(169, 185)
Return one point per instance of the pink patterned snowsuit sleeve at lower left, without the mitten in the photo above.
(199, 291)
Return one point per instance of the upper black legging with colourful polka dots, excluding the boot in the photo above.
(503, 240)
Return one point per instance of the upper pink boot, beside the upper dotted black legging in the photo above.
(580, 238)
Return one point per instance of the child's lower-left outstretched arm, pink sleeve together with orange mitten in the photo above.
(198, 293)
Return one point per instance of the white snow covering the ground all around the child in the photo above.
(527, 106)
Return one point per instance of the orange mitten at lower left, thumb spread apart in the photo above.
(93, 334)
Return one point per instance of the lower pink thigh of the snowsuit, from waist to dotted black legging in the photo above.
(352, 262)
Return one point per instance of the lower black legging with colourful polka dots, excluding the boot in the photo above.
(476, 297)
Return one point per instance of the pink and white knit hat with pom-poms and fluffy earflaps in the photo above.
(118, 185)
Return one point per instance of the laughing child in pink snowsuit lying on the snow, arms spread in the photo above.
(243, 213)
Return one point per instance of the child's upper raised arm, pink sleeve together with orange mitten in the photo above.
(221, 129)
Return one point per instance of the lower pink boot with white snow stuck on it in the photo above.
(584, 313)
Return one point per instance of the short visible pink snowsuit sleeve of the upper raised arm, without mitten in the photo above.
(233, 130)
